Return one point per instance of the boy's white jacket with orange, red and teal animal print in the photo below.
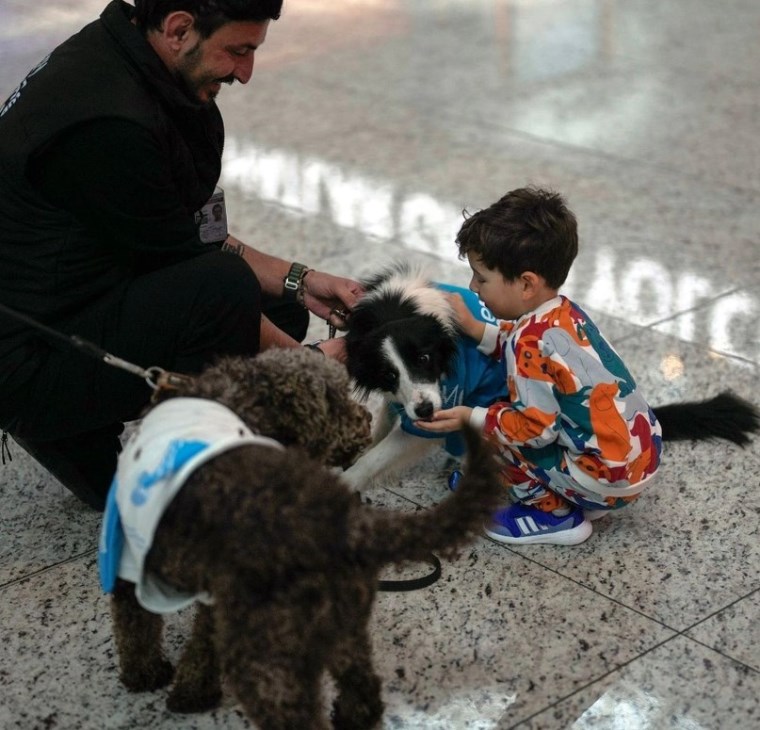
(571, 396)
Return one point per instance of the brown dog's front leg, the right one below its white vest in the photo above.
(197, 685)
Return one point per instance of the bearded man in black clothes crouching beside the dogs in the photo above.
(108, 149)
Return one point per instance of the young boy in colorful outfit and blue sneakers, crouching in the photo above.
(575, 434)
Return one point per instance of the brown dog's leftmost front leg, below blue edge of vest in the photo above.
(142, 664)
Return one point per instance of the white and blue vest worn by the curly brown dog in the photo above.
(171, 442)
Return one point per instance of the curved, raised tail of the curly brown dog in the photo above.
(387, 536)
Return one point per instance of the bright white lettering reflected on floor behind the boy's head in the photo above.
(644, 291)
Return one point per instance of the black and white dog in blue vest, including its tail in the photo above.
(403, 343)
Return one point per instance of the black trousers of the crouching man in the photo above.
(70, 415)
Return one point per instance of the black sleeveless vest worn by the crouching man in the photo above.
(50, 264)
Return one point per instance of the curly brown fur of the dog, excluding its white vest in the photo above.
(288, 552)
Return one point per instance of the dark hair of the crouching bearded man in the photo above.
(210, 15)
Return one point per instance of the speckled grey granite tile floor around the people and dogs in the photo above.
(367, 128)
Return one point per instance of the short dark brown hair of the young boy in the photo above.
(529, 229)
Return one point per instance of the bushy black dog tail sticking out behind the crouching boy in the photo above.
(726, 416)
